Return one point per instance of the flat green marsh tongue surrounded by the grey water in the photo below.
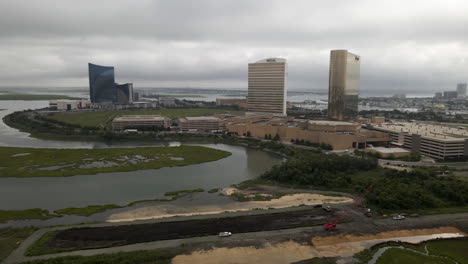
(31, 162)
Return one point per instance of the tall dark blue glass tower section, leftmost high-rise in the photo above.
(102, 88)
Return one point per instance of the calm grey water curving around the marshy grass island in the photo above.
(119, 187)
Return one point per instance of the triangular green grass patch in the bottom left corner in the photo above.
(11, 238)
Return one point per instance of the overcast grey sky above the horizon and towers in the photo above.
(405, 46)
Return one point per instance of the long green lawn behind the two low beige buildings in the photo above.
(104, 118)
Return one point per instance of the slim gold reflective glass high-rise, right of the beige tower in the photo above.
(343, 89)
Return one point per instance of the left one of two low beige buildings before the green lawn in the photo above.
(140, 122)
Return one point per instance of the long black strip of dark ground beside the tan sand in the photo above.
(130, 234)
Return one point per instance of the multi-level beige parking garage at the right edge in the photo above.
(432, 140)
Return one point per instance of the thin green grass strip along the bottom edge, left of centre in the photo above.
(150, 256)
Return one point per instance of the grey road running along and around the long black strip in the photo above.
(360, 225)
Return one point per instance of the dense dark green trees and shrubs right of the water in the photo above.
(393, 190)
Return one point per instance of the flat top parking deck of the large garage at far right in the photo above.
(426, 130)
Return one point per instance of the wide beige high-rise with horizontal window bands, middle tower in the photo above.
(267, 86)
